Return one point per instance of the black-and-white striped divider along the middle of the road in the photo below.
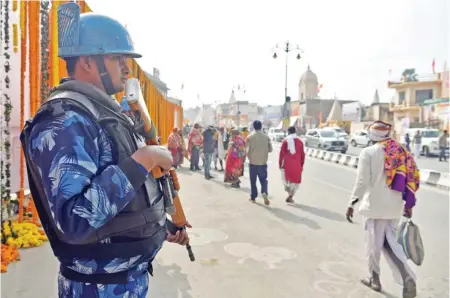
(433, 178)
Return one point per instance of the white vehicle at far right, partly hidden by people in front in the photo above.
(430, 140)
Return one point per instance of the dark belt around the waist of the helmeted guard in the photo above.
(104, 278)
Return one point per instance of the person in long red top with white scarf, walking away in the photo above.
(291, 163)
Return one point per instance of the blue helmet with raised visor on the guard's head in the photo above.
(91, 34)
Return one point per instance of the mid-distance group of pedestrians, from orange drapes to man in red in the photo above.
(230, 148)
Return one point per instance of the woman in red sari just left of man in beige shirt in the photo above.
(234, 164)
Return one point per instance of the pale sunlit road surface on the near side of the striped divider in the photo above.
(307, 249)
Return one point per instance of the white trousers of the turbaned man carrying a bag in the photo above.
(381, 236)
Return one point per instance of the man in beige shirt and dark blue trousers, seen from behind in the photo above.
(258, 147)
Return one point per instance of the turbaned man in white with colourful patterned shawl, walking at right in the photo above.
(386, 182)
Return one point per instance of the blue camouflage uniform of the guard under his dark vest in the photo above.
(68, 151)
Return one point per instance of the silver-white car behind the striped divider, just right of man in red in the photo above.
(325, 139)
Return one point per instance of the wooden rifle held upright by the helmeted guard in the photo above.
(169, 181)
